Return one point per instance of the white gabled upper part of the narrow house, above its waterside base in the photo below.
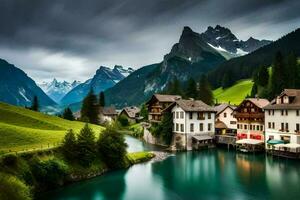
(225, 120)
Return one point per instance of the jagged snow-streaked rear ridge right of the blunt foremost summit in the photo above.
(224, 40)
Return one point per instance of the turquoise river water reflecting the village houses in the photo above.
(207, 174)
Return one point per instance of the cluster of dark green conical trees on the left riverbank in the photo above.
(85, 149)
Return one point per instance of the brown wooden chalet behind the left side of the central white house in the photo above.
(157, 104)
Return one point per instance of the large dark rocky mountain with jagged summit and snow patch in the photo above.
(193, 55)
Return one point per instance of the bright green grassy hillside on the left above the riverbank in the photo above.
(23, 129)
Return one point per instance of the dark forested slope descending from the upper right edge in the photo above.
(244, 66)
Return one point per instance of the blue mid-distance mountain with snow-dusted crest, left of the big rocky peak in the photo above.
(103, 79)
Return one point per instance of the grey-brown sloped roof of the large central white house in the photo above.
(193, 106)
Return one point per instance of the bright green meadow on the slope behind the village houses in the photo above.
(235, 94)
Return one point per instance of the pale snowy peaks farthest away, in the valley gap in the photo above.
(56, 90)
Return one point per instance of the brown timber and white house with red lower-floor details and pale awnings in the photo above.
(250, 124)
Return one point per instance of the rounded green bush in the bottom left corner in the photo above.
(13, 188)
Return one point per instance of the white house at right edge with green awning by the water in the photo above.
(282, 122)
